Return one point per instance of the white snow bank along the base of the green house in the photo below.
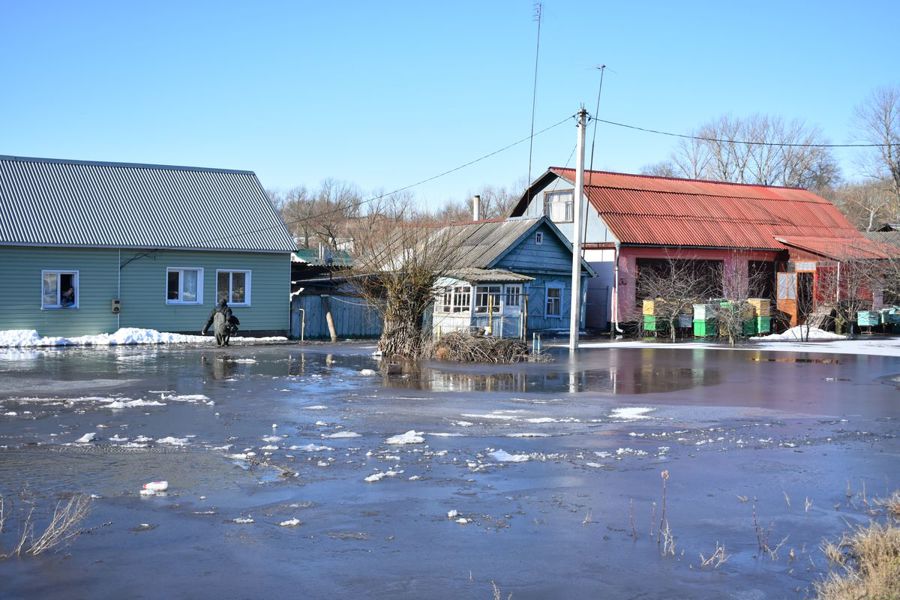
(17, 338)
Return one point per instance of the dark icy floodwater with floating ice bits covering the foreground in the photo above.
(554, 471)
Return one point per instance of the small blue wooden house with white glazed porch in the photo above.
(511, 277)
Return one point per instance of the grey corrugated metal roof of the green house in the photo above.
(49, 202)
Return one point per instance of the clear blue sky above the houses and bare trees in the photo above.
(384, 94)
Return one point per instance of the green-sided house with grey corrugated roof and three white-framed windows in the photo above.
(91, 247)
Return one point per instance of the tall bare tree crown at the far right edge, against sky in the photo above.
(878, 119)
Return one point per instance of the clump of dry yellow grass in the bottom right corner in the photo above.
(869, 561)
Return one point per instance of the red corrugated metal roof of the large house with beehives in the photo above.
(664, 211)
